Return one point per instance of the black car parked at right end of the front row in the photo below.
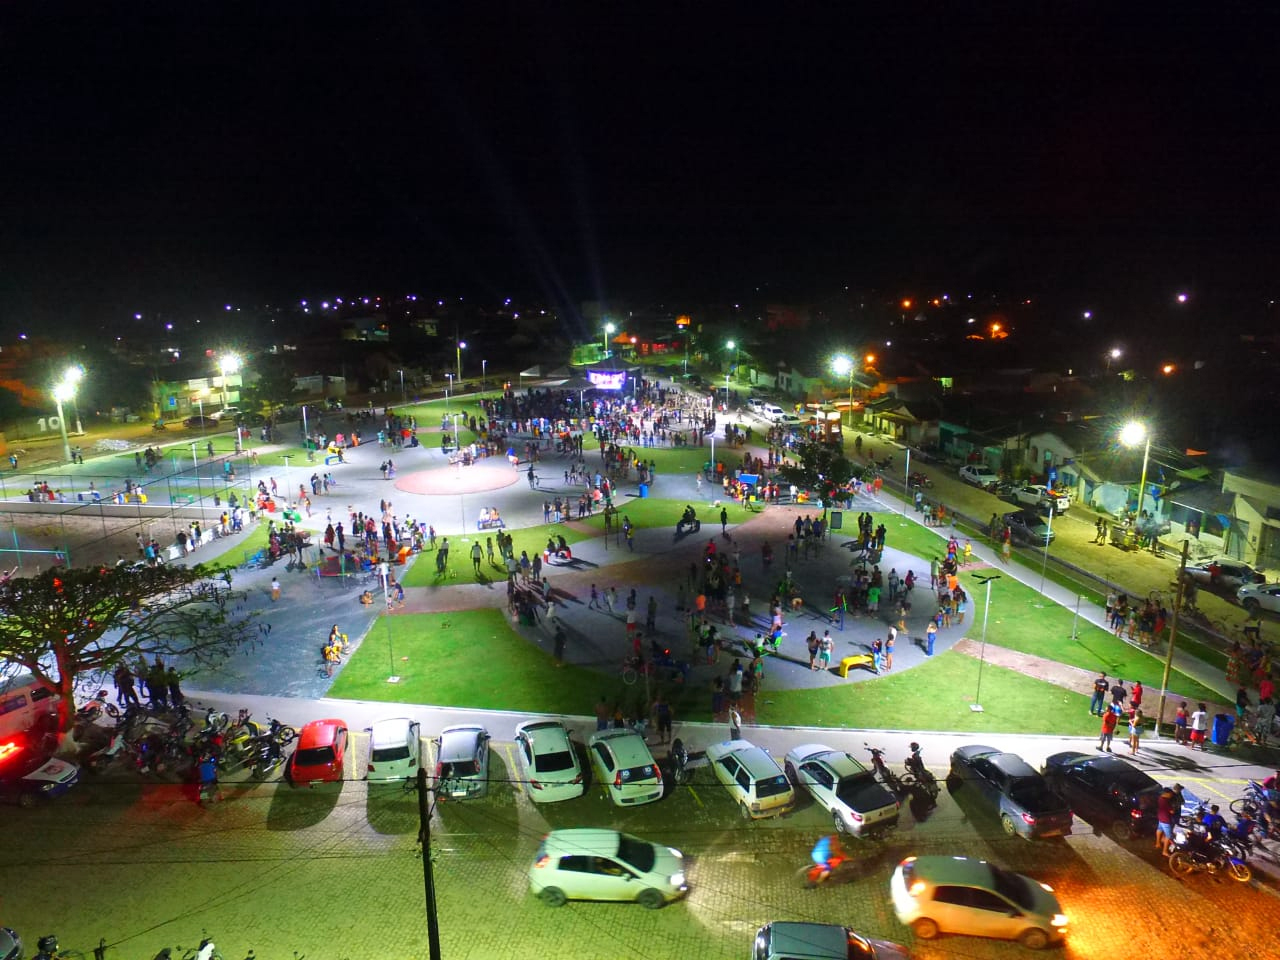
(1107, 792)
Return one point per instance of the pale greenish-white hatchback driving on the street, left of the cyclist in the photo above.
(605, 865)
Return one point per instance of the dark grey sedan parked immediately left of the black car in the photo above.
(1013, 789)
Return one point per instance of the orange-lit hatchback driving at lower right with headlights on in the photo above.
(936, 895)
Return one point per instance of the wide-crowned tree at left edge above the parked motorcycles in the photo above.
(65, 624)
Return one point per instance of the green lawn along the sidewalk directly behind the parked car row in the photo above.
(474, 659)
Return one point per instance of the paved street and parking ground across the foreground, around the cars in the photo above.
(335, 872)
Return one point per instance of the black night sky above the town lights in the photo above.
(227, 154)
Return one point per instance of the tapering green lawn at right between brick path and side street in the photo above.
(1022, 620)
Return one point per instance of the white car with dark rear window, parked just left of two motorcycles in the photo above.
(844, 788)
